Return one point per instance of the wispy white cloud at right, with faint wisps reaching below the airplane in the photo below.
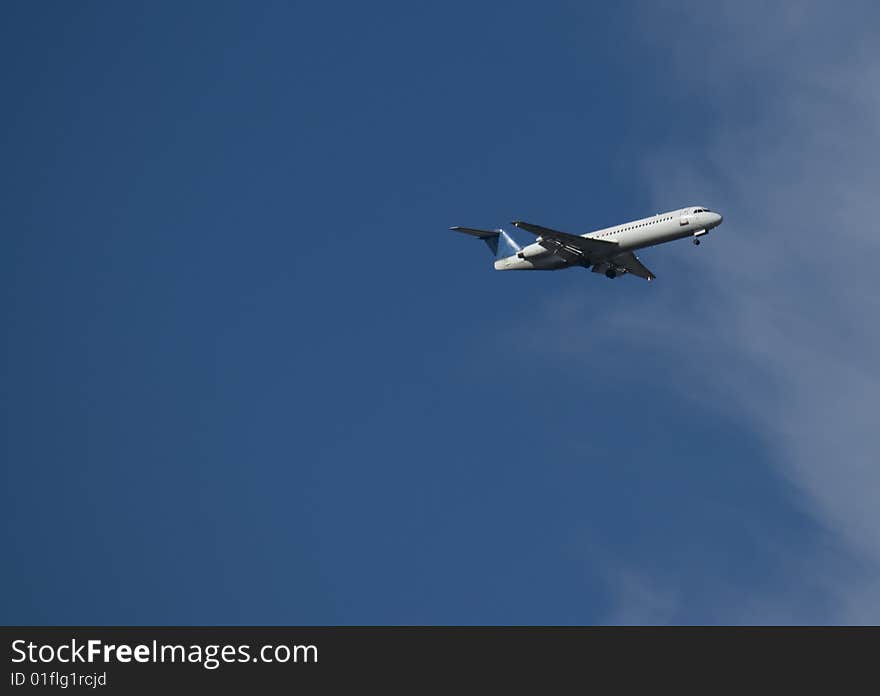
(787, 300)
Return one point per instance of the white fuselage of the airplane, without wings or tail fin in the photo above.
(638, 234)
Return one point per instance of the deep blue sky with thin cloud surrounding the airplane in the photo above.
(250, 377)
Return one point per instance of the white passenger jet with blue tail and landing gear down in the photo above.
(609, 250)
